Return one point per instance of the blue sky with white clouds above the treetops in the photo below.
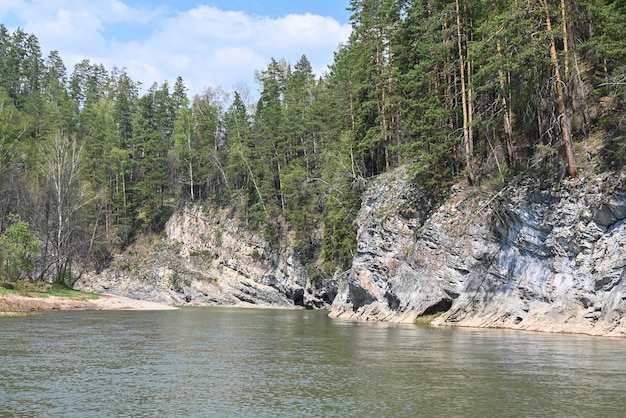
(209, 43)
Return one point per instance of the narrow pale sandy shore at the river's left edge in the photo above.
(21, 304)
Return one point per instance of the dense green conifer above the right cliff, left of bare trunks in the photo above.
(427, 67)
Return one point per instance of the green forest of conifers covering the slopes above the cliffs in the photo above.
(464, 91)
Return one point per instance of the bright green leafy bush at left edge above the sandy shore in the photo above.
(18, 249)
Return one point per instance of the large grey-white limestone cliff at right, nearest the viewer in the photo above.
(544, 258)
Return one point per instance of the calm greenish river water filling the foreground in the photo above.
(205, 362)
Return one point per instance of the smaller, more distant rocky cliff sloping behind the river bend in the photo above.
(208, 258)
